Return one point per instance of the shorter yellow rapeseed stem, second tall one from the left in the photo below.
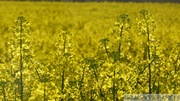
(64, 55)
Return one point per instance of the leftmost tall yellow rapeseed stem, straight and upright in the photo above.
(19, 50)
